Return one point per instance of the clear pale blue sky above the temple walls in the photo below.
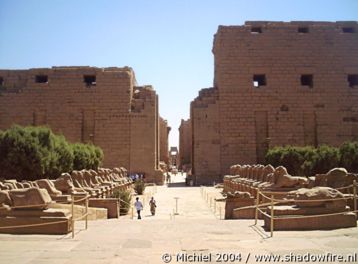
(167, 42)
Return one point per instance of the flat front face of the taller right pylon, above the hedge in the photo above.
(301, 95)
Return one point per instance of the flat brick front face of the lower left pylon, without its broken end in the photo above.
(83, 113)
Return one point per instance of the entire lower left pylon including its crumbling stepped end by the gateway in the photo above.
(86, 104)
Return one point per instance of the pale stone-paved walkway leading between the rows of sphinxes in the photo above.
(194, 230)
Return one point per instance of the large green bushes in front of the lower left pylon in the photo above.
(30, 153)
